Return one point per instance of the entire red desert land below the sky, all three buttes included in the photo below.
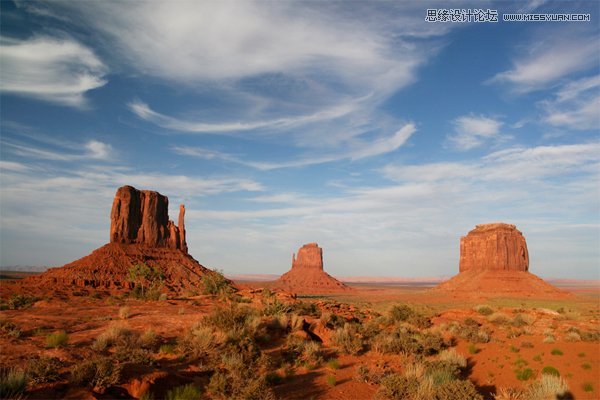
(141, 318)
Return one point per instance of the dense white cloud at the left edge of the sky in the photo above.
(55, 70)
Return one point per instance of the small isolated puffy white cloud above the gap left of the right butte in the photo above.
(471, 131)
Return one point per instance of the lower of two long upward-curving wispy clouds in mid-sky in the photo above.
(356, 150)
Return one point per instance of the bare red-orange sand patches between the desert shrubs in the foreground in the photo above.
(492, 366)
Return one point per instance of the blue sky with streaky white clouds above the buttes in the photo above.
(357, 125)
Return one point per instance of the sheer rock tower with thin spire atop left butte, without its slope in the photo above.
(142, 217)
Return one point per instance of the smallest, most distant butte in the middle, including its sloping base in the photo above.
(307, 275)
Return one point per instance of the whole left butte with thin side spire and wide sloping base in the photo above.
(140, 232)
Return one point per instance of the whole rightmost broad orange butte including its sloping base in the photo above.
(494, 261)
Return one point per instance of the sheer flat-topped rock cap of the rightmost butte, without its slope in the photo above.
(496, 246)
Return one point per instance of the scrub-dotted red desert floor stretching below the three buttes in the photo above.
(507, 343)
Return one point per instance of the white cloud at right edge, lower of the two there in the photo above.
(576, 105)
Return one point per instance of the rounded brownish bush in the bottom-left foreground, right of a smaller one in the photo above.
(100, 373)
